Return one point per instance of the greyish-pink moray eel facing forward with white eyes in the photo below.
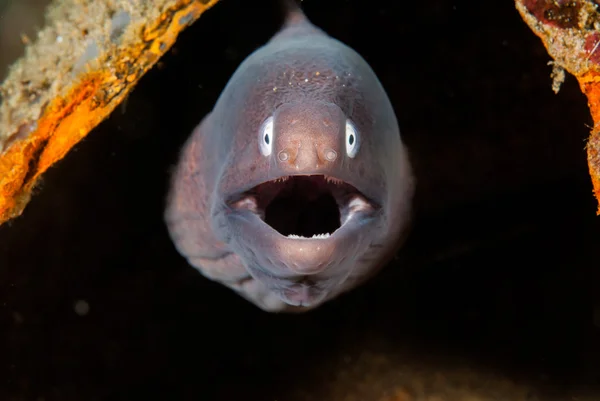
(306, 115)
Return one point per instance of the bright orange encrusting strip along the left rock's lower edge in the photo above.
(67, 119)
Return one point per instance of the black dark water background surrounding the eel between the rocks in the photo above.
(498, 275)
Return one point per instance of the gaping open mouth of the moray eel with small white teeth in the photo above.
(305, 206)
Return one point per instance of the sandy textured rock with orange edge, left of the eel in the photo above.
(81, 65)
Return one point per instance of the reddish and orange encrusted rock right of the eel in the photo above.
(569, 33)
